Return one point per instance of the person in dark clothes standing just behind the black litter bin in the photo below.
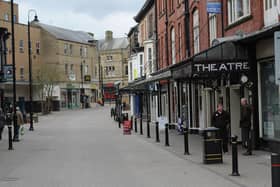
(221, 120)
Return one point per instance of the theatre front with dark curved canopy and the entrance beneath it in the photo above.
(210, 78)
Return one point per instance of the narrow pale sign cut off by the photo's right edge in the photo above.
(277, 56)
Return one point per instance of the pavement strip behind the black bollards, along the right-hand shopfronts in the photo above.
(255, 170)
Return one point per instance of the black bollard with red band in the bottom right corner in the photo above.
(275, 169)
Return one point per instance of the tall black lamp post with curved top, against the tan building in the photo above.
(31, 128)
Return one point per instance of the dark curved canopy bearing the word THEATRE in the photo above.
(224, 58)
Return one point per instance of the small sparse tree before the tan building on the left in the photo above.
(47, 77)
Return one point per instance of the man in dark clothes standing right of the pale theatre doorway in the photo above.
(245, 125)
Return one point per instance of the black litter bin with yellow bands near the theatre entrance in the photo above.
(212, 146)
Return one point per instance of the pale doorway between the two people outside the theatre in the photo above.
(235, 111)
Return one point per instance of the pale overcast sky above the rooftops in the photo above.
(94, 16)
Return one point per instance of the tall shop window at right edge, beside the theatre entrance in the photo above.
(270, 102)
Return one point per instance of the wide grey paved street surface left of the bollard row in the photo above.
(87, 149)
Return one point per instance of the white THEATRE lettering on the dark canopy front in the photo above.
(220, 67)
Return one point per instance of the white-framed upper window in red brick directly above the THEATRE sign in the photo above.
(238, 9)
